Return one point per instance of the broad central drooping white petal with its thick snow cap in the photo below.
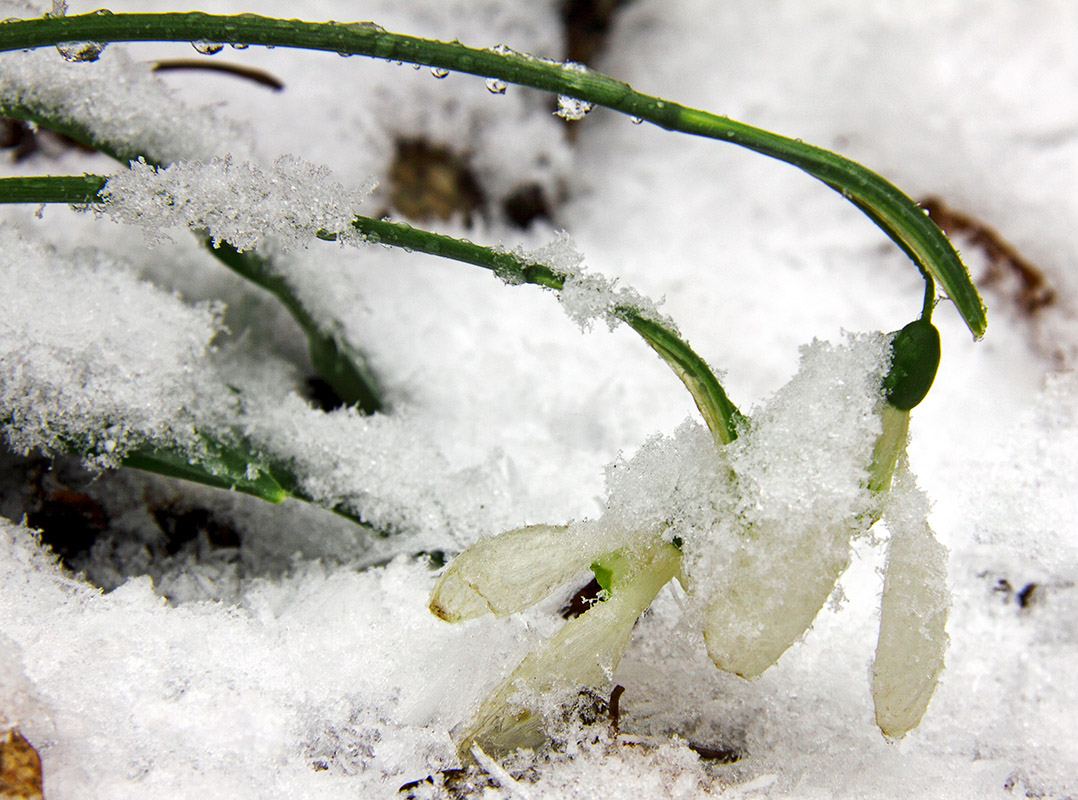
(804, 477)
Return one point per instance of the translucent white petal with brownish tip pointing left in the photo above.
(508, 573)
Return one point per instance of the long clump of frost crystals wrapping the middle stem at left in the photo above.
(281, 208)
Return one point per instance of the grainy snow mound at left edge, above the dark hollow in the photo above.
(92, 356)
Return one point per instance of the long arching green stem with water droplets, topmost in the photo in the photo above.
(896, 214)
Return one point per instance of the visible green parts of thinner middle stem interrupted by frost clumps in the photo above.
(722, 417)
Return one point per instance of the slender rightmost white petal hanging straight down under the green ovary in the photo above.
(914, 614)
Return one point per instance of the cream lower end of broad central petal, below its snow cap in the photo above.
(776, 591)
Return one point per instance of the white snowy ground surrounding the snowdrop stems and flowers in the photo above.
(294, 669)
